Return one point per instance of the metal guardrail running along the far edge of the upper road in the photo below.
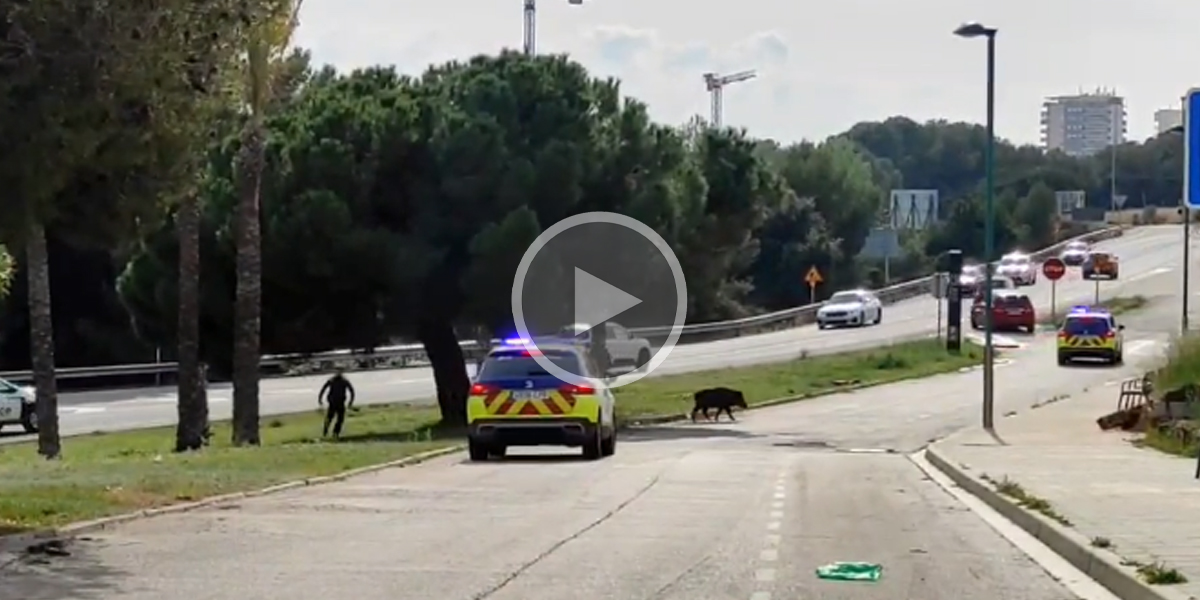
(409, 355)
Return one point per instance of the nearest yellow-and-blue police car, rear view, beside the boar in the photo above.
(515, 403)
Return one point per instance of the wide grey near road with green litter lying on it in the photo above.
(729, 512)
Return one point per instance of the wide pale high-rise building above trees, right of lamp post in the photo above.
(1084, 124)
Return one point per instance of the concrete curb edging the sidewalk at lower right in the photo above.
(1101, 566)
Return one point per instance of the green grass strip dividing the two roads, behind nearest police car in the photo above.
(112, 473)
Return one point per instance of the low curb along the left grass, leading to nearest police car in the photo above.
(97, 525)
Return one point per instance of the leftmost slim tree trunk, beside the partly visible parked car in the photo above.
(41, 341)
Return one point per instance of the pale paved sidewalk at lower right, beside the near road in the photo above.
(1145, 502)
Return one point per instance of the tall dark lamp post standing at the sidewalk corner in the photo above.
(989, 236)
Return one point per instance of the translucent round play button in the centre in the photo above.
(602, 269)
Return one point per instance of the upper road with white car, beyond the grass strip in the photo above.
(1145, 254)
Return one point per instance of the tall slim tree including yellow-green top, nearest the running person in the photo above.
(269, 35)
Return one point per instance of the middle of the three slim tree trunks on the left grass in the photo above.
(193, 405)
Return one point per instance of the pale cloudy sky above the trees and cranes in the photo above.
(823, 65)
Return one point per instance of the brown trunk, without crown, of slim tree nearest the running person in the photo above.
(248, 303)
